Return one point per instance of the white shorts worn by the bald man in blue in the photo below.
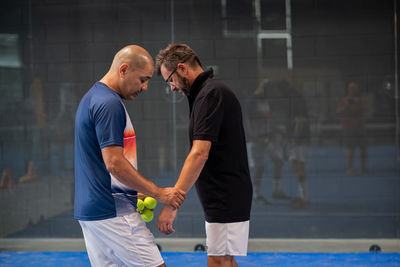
(120, 241)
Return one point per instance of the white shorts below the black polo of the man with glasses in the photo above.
(227, 238)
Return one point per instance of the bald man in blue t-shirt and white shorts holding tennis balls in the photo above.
(106, 178)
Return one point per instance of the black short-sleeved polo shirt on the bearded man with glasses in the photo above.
(224, 185)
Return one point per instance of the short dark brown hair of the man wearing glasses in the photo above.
(174, 54)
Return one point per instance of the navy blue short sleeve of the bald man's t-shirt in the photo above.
(110, 120)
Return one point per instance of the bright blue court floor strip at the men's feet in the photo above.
(199, 259)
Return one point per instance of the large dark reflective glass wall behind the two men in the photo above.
(317, 81)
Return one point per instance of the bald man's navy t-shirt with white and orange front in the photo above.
(101, 120)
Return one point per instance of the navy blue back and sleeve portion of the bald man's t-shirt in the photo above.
(93, 199)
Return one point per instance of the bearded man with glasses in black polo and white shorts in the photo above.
(217, 161)
